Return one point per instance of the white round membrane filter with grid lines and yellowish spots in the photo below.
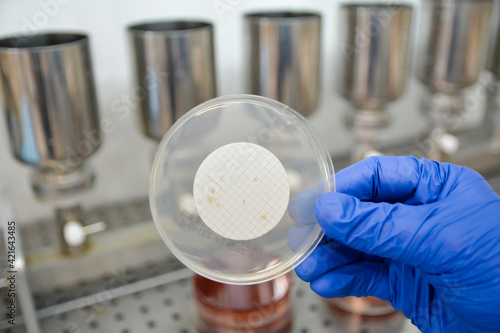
(241, 191)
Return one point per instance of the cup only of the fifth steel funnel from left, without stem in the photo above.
(455, 43)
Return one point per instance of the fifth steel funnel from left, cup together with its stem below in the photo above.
(453, 47)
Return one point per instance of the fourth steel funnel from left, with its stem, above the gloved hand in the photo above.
(374, 51)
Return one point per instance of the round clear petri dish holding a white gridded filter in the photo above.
(223, 184)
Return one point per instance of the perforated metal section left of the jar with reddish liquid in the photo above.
(165, 308)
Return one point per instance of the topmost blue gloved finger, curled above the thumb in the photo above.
(398, 179)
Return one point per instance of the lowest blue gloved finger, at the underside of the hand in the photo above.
(358, 279)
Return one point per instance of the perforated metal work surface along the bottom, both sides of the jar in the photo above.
(169, 308)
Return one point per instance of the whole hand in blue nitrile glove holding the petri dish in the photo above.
(423, 235)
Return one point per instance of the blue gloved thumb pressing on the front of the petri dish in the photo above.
(395, 231)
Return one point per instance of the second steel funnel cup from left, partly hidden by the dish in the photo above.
(175, 69)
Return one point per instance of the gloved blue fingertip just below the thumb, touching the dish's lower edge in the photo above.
(325, 258)
